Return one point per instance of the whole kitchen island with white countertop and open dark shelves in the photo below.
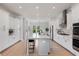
(40, 45)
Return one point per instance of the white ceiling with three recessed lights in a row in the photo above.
(37, 10)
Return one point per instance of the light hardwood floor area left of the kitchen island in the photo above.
(19, 49)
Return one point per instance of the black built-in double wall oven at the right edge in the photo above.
(76, 36)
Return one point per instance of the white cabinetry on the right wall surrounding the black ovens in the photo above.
(67, 41)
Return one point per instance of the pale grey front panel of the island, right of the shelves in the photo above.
(43, 46)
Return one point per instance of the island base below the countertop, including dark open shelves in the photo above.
(38, 46)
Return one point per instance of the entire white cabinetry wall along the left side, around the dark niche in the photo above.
(6, 40)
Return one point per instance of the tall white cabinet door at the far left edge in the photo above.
(3, 29)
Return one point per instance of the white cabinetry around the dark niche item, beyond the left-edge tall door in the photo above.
(14, 23)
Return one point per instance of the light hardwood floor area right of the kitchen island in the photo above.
(58, 50)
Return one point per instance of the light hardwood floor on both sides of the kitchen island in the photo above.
(19, 49)
